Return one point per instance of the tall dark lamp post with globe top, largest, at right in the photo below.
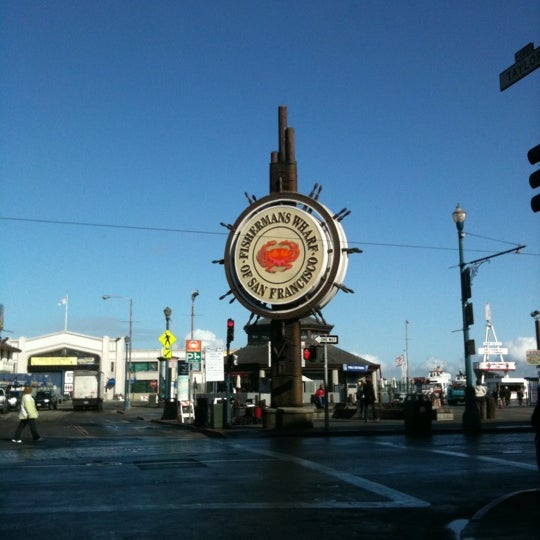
(471, 415)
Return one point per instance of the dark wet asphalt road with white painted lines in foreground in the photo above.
(123, 476)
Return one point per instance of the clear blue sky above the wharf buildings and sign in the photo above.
(154, 118)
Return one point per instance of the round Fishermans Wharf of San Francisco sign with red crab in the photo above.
(285, 256)
